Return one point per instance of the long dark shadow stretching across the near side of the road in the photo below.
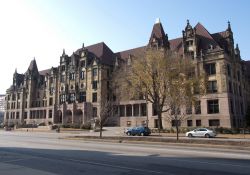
(79, 162)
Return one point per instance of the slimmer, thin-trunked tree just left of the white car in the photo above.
(186, 85)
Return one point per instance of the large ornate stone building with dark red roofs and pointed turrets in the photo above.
(72, 92)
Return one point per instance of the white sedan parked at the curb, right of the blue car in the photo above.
(201, 132)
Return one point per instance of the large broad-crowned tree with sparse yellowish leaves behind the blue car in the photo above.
(154, 75)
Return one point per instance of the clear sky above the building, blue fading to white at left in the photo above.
(42, 28)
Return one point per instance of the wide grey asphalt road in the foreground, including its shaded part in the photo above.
(27, 153)
